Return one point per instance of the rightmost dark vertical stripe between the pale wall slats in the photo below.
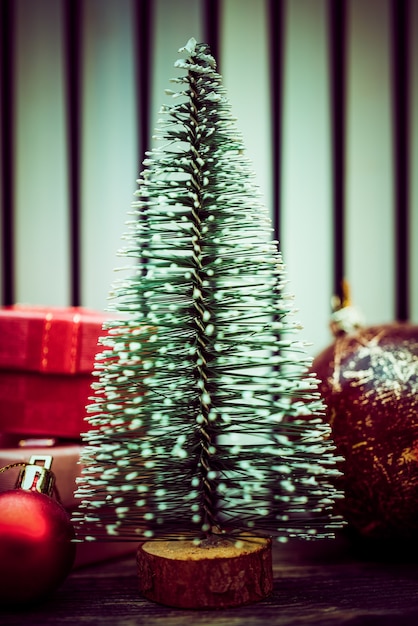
(400, 104)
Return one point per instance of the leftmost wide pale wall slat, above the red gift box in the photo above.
(41, 210)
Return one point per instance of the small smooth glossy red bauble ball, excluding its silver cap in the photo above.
(36, 552)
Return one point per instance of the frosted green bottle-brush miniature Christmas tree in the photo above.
(206, 426)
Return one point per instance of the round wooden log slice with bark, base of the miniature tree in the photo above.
(222, 573)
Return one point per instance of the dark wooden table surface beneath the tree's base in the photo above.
(317, 583)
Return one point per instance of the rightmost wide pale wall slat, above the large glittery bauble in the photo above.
(370, 190)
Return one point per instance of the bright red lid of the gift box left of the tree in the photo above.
(50, 339)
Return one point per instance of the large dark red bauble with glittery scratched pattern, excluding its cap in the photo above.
(369, 381)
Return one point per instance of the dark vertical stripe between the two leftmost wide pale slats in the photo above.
(72, 21)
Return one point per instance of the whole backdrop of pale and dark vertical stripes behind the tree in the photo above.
(325, 93)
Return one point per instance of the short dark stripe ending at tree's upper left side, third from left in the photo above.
(143, 21)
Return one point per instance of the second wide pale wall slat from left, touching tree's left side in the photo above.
(110, 163)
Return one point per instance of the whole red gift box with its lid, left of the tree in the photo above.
(46, 362)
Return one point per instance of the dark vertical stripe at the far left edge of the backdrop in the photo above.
(7, 151)
